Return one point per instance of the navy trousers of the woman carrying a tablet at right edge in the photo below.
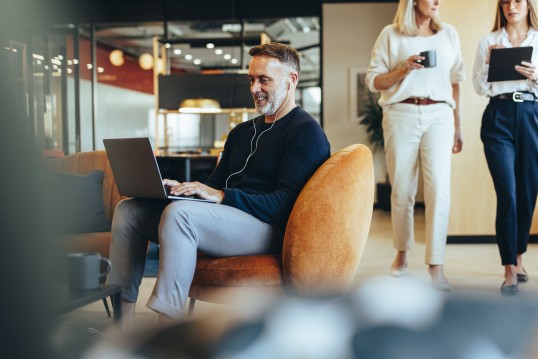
(510, 136)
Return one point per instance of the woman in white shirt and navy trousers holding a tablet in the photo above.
(510, 134)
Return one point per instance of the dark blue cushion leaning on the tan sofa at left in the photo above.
(79, 199)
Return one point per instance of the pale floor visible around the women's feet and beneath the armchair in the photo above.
(469, 267)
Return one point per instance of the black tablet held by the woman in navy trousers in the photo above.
(503, 60)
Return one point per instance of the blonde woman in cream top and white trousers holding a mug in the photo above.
(421, 123)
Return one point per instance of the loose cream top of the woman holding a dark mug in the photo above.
(392, 49)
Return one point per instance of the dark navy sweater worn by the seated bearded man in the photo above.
(286, 157)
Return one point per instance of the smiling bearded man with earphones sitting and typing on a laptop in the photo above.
(264, 165)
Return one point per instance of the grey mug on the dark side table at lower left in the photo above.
(84, 270)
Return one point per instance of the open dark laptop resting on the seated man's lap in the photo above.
(136, 171)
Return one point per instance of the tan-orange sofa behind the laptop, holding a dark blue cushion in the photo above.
(77, 167)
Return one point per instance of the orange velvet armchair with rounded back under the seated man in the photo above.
(323, 244)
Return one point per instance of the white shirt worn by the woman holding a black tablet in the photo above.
(480, 70)
